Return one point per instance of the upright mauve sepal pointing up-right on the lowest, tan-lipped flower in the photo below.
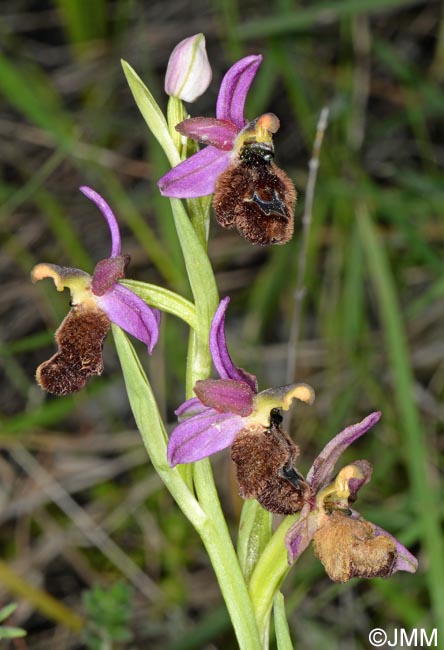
(322, 469)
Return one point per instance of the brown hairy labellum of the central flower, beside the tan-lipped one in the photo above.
(265, 471)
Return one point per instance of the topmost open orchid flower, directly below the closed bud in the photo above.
(250, 192)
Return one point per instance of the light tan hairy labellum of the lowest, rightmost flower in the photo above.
(349, 548)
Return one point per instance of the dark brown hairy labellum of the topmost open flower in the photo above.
(256, 197)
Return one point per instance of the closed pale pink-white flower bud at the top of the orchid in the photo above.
(188, 73)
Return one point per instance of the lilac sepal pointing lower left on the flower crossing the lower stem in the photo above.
(202, 435)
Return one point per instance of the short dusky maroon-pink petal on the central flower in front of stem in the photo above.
(226, 395)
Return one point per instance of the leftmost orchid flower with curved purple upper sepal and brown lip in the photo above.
(96, 301)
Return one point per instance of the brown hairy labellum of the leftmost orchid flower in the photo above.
(80, 339)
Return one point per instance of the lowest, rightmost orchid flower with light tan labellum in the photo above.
(347, 545)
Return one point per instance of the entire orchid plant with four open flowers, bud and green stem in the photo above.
(252, 194)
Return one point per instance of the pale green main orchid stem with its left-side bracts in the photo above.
(192, 232)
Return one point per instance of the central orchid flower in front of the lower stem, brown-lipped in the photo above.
(231, 412)
